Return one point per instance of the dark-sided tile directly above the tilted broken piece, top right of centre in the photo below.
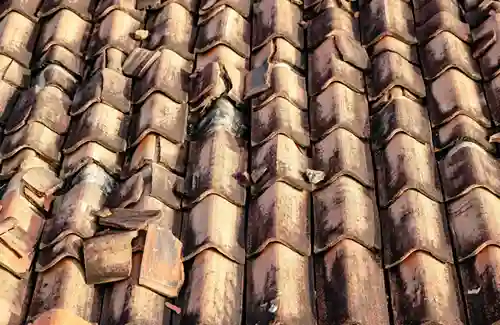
(332, 21)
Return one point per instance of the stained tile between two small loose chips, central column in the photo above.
(279, 159)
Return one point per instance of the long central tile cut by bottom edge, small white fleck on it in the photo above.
(279, 288)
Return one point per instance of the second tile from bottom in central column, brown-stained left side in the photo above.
(279, 215)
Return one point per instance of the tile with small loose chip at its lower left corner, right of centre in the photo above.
(341, 153)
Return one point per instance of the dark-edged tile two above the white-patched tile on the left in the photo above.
(99, 123)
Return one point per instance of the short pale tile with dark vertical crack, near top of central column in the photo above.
(279, 50)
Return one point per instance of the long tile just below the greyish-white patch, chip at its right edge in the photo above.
(215, 160)
